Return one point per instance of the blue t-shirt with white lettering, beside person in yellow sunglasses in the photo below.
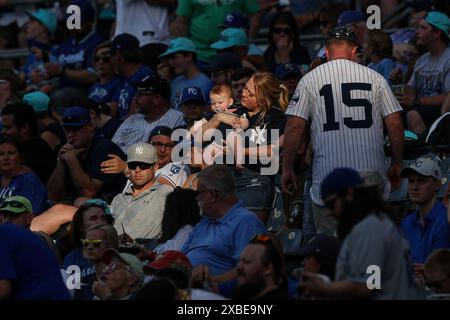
(87, 277)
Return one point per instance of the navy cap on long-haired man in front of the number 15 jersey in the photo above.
(339, 180)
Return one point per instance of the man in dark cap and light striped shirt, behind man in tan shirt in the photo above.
(153, 100)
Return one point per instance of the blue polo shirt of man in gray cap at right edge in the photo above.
(433, 235)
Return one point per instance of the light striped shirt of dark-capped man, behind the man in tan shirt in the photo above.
(136, 129)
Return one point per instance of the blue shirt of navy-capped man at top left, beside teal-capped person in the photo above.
(77, 55)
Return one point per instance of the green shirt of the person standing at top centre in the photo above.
(206, 15)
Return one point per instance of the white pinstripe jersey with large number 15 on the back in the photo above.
(346, 103)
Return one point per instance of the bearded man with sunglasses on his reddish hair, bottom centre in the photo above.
(261, 272)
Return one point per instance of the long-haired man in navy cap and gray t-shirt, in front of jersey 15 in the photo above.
(371, 242)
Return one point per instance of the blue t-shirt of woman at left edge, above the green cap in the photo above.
(29, 186)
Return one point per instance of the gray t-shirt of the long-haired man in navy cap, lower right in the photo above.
(377, 241)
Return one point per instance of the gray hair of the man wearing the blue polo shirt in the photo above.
(219, 178)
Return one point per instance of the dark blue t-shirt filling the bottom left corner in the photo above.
(29, 265)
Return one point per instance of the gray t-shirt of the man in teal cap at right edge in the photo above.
(431, 76)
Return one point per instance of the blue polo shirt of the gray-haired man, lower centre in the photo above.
(219, 243)
